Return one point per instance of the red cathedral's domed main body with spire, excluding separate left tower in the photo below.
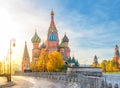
(52, 42)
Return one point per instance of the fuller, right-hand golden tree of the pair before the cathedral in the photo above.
(55, 62)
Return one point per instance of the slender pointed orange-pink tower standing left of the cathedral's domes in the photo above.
(25, 59)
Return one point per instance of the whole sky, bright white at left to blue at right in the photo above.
(92, 26)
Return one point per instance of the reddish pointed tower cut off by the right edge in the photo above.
(116, 57)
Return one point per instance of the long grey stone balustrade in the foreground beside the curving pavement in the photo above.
(80, 80)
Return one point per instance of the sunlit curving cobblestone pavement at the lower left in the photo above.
(31, 82)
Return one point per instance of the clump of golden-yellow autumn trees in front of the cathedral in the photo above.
(49, 62)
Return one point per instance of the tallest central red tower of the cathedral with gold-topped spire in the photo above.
(52, 41)
